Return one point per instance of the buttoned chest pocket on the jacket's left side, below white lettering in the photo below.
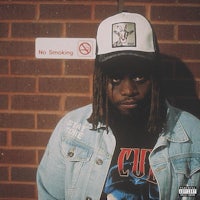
(75, 151)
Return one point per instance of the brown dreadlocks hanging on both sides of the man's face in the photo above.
(100, 114)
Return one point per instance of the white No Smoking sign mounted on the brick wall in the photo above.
(65, 48)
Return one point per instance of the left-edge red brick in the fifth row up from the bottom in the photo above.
(16, 120)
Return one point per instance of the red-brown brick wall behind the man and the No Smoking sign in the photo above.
(36, 93)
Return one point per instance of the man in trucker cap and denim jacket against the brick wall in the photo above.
(130, 143)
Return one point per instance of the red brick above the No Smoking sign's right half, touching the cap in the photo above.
(81, 30)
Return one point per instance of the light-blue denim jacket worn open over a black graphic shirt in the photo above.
(77, 158)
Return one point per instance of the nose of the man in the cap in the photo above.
(129, 87)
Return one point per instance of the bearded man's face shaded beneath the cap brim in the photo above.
(128, 91)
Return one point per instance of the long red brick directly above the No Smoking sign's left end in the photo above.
(32, 30)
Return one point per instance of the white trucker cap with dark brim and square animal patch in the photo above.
(125, 34)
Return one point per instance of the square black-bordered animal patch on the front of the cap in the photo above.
(123, 34)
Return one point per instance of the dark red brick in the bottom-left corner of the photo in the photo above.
(17, 191)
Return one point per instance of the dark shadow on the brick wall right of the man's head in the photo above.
(179, 85)
